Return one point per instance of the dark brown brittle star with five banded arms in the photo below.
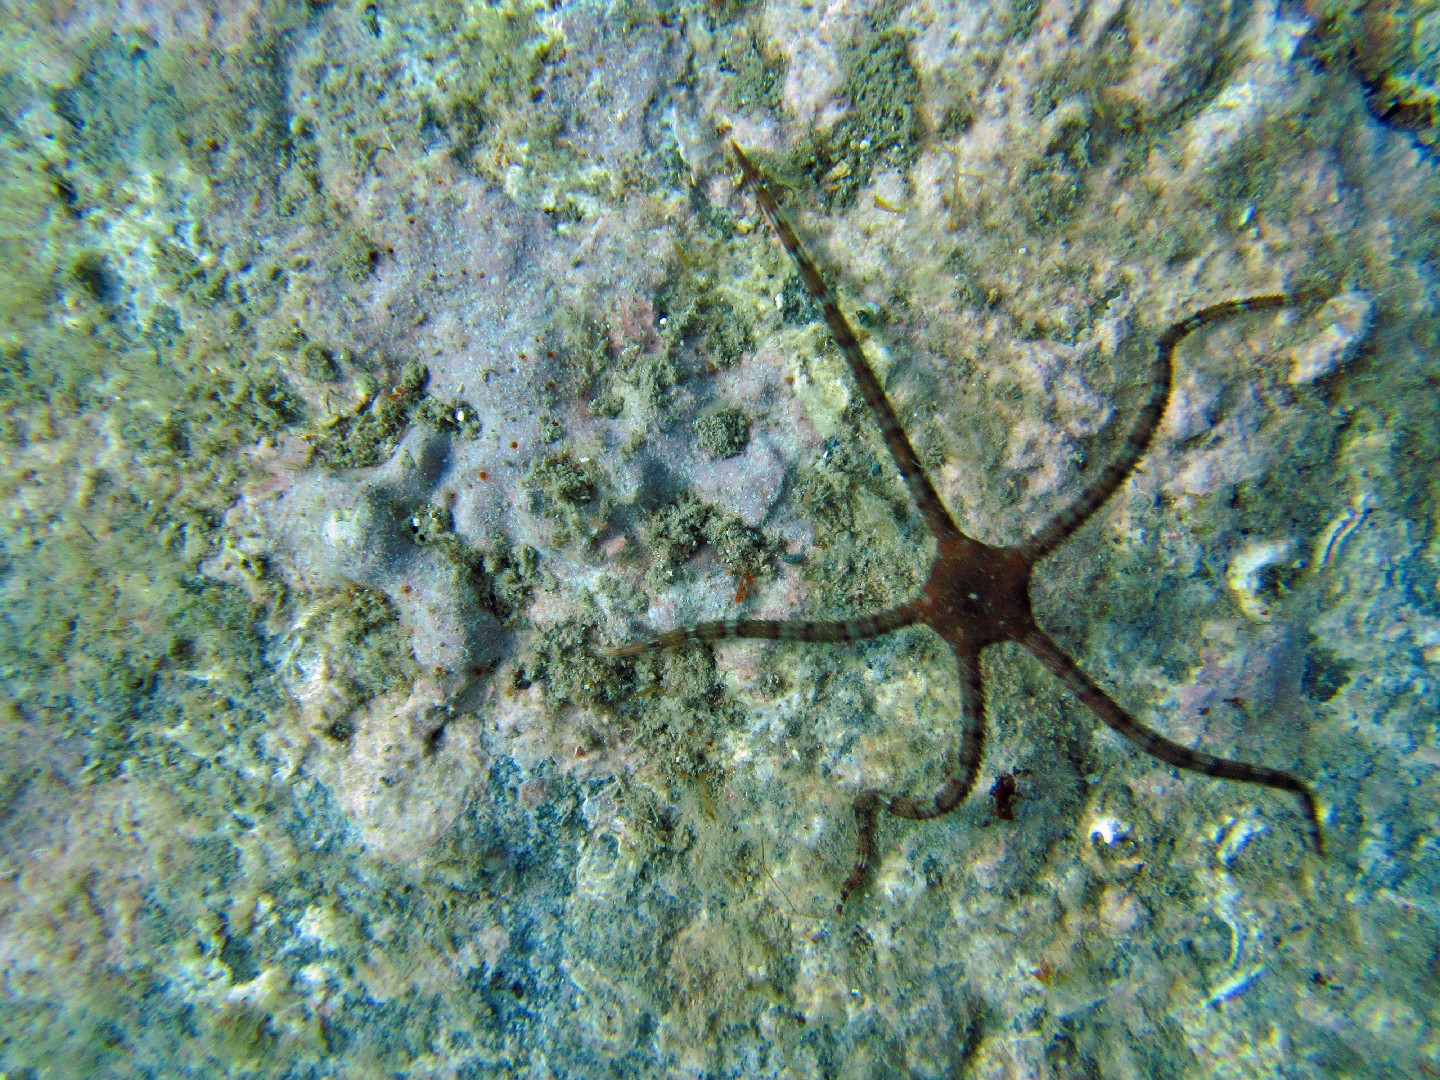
(977, 594)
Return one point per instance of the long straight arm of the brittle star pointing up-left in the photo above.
(937, 519)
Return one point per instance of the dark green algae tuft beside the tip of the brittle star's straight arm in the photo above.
(881, 129)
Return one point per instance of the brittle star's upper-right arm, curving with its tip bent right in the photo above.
(1143, 430)
